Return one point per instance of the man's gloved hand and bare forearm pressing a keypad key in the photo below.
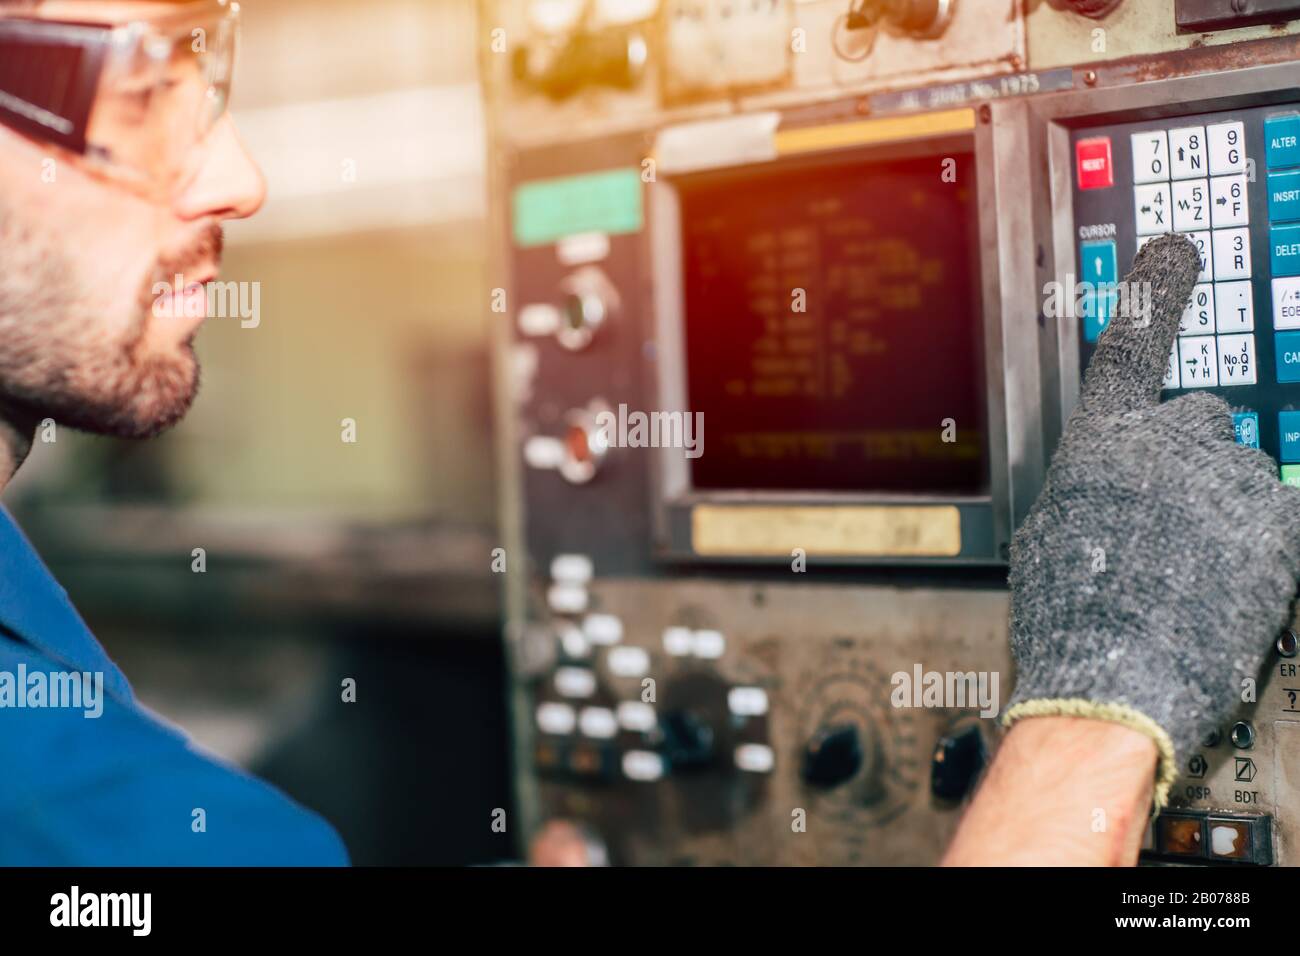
(1149, 582)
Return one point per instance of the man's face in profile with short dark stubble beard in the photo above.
(84, 336)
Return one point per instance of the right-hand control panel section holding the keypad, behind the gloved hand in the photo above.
(1204, 154)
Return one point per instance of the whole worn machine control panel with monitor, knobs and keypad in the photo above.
(720, 664)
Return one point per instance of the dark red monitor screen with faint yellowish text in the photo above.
(833, 327)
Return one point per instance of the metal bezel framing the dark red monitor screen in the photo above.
(1013, 427)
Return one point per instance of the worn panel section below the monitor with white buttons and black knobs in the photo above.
(729, 725)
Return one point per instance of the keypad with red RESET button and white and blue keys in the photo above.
(1230, 183)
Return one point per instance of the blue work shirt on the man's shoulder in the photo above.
(122, 789)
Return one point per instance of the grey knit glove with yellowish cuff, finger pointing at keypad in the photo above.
(1162, 559)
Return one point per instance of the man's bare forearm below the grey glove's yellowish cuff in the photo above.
(1063, 791)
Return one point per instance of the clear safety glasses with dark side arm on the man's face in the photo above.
(133, 100)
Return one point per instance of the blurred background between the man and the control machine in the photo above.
(326, 560)
